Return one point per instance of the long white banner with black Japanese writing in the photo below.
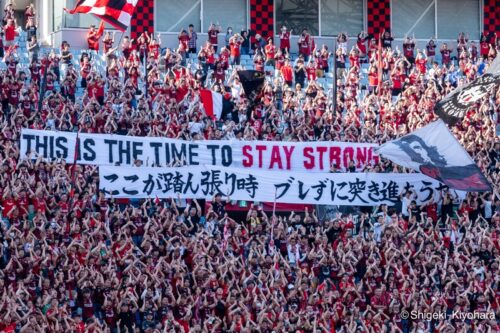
(359, 189)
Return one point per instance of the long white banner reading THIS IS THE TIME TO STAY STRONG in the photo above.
(106, 149)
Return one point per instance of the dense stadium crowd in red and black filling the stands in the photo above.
(73, 261)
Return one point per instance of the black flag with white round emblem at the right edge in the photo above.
(453, 107)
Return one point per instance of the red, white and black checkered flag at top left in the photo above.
(118, 13)
